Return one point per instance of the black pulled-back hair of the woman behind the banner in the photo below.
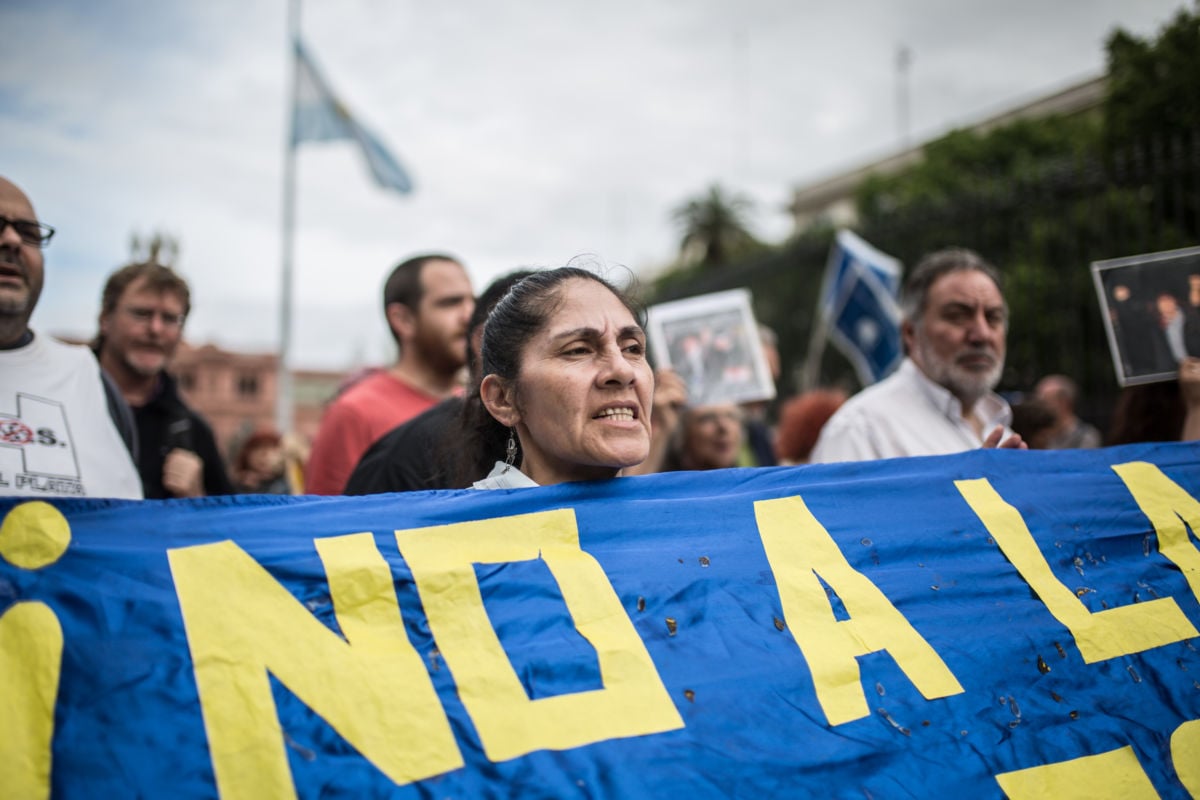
(519, 316)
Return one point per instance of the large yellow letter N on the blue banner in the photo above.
(371, 688)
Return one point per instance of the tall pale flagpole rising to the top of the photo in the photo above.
(284, 405)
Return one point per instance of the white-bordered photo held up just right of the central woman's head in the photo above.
(712, 341)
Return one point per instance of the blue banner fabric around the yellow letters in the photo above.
(683, 546)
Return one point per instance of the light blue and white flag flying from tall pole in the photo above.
(320, 116)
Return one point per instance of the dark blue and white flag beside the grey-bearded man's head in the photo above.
(859, 306)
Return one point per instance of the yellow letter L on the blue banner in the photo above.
(1099, 635)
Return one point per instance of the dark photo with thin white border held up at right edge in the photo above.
(1151, 308)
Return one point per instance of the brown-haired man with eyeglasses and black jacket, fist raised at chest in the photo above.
(142, 315)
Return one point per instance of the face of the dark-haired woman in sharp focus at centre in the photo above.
(583, 401)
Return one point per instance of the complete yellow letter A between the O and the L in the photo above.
(799, 550)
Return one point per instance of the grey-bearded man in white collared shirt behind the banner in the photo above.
(940, 400)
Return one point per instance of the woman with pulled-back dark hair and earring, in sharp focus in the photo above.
(567, 390)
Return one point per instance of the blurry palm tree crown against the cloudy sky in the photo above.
(715, 227)
